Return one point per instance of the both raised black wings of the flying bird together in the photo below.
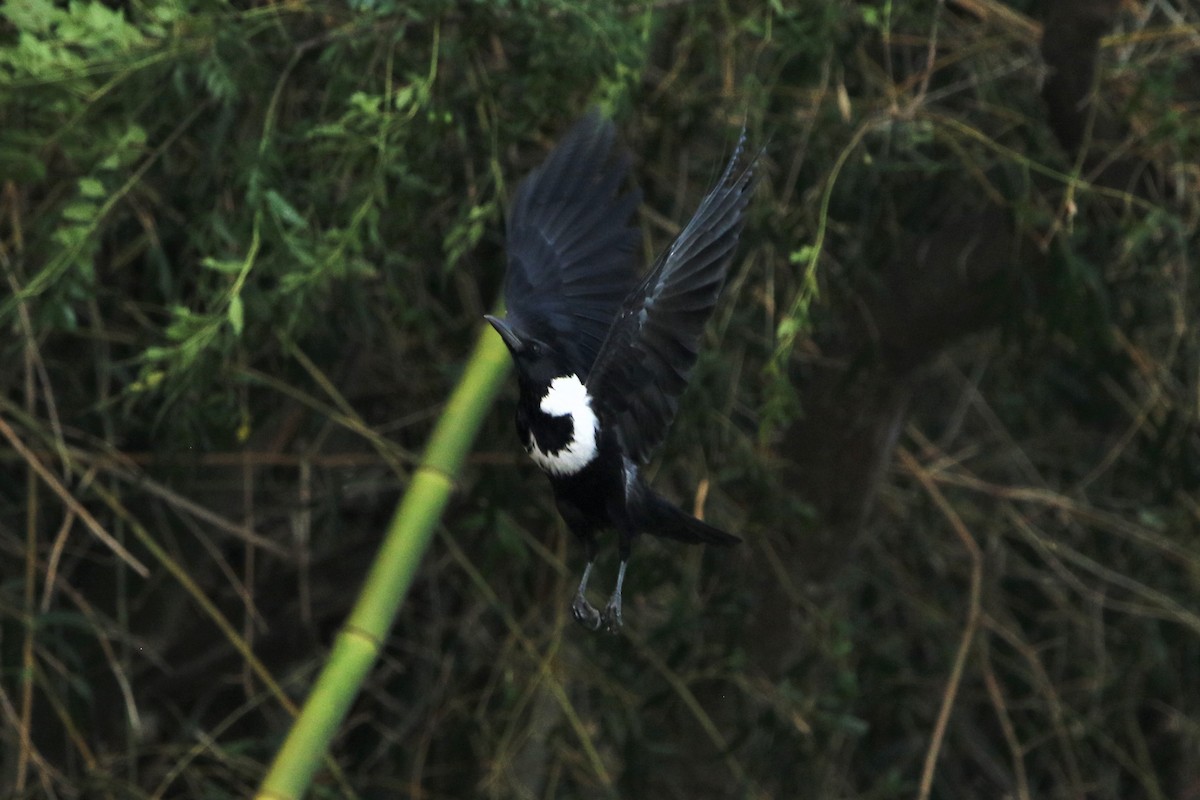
(571, 278)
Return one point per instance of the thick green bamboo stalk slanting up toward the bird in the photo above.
(409, 536)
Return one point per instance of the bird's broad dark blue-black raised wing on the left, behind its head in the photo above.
(571, 245)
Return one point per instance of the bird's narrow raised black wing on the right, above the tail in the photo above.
(644, 364)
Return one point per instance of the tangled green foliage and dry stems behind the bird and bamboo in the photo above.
(951, 400)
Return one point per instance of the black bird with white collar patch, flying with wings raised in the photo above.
(602, 357)
